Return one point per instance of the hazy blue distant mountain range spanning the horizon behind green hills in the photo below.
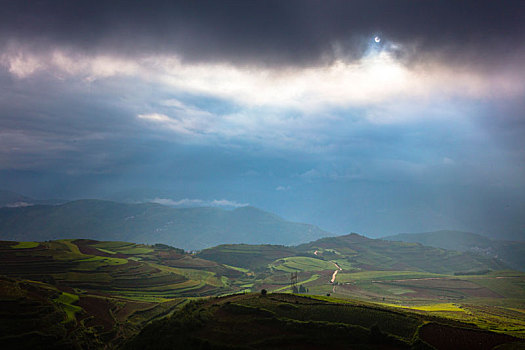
(23, 218)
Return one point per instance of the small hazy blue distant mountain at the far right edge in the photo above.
(512, 253)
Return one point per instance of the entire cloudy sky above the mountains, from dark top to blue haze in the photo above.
(377, 117)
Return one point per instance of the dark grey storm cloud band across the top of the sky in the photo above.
(272, 32)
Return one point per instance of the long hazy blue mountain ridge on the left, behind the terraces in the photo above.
(188, 228)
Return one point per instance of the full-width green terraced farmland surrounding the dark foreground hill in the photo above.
(93, 293)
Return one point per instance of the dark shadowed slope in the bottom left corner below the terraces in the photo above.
(37, 315)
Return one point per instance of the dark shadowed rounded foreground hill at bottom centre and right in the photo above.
(283, 321)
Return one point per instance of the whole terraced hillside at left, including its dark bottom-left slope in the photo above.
(94, 293)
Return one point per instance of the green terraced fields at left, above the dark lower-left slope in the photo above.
(120, 268)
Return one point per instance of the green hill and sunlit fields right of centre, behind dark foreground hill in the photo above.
(395, 273)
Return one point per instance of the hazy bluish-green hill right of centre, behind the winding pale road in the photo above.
(358, 253)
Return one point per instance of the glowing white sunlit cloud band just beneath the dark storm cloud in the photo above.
(376, 78)
